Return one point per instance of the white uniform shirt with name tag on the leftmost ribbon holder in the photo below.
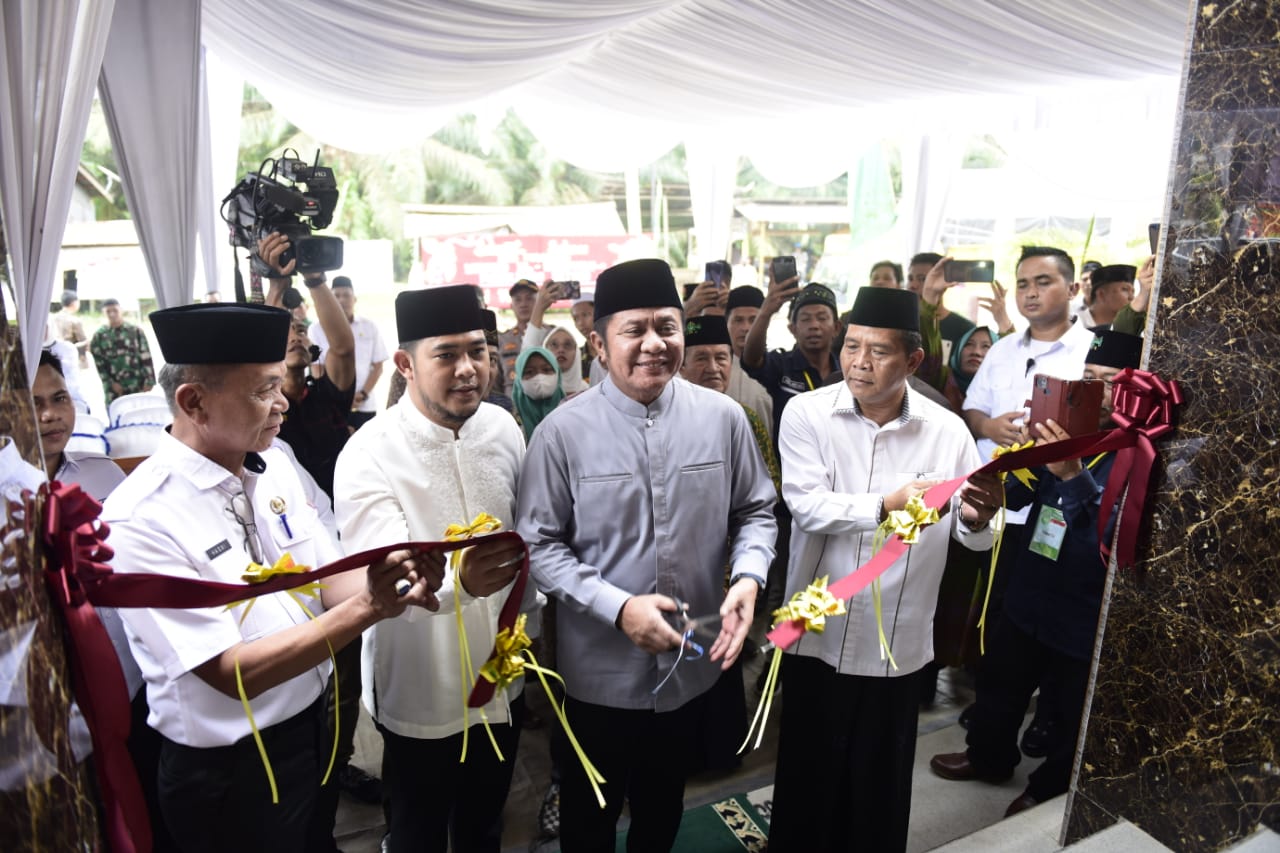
(171, 517)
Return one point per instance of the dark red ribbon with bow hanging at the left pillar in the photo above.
(79, 580)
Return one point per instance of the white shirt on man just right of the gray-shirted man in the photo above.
(836, 467)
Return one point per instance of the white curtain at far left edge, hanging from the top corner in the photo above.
(49, 54)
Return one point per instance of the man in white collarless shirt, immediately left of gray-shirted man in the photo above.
(440, 457)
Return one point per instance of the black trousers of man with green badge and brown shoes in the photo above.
(1012, 670)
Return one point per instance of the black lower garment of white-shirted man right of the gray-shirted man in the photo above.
(845, 755)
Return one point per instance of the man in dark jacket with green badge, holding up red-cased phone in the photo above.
(1044, 636)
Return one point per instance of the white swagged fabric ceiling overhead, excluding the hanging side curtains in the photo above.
(647, 74)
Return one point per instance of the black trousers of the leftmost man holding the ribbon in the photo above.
(217, 800)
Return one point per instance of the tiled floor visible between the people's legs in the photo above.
(941, 811)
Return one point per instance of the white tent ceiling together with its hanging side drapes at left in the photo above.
(802, 88)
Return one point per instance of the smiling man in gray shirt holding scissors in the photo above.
(634, 495)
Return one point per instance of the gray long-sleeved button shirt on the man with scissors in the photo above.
(619, 500)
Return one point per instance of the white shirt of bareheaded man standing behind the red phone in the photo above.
(1004, 382)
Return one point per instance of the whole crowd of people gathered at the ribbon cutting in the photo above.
(675, 482)
